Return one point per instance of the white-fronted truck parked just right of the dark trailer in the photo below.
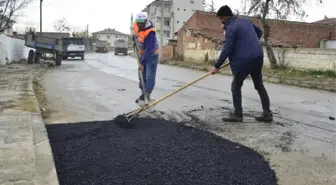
(74, 47)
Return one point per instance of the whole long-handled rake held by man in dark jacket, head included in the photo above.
(125, 120)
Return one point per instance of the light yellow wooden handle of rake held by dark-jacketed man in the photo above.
(172, 93)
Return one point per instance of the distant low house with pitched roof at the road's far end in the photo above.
(110, 35)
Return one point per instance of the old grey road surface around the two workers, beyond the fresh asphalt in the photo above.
(300, 144)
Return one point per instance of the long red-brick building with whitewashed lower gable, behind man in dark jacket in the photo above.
(202, 36)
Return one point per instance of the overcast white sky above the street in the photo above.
(100, 14)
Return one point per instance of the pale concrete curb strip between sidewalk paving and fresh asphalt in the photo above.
(45, 170)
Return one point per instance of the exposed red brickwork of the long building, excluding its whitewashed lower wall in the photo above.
(283, 33)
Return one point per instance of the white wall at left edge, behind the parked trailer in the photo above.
(12, 49)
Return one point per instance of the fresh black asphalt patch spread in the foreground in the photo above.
(155, 152)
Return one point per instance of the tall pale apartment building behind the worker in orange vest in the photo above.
(176, 13)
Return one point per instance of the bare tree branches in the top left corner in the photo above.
(9, 10)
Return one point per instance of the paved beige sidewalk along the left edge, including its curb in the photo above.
(25, 152)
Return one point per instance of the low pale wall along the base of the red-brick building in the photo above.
(300, 58)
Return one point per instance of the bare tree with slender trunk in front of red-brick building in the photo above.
(277, 9)
